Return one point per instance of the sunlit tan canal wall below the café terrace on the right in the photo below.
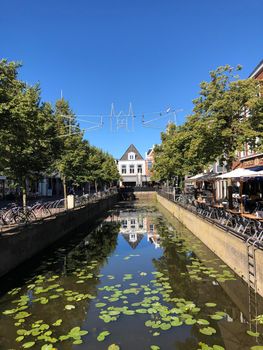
(228, 247)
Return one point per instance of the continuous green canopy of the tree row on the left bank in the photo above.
(36, 140)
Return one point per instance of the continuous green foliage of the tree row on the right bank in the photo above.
(226, 116)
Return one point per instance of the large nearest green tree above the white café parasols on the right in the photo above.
(228, 113)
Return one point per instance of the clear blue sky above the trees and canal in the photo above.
(148, 52)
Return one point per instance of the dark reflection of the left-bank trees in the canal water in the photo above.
(86, 259)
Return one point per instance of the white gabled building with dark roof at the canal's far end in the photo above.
(131, 167)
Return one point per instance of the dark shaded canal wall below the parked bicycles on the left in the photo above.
(19, 244)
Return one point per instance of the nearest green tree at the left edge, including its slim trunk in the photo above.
(26, 135)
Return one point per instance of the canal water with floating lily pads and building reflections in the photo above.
(139, 280)
